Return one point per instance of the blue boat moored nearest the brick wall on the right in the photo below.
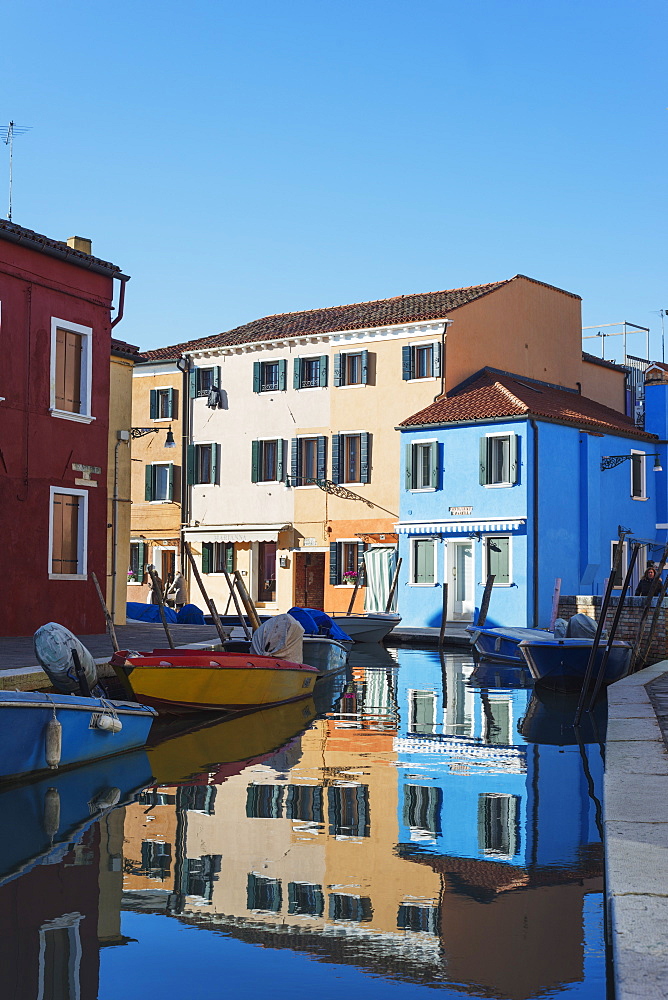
(561, 664)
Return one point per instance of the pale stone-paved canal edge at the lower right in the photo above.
(636, 832)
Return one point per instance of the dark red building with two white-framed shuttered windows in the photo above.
(55, 334)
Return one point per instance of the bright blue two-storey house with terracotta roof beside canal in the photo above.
(503, 476)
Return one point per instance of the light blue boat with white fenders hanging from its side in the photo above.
(44, 732)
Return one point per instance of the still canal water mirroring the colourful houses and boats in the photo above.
(425, 824)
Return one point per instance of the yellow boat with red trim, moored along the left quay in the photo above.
(188, 680)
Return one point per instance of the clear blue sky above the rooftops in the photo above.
(243, 159)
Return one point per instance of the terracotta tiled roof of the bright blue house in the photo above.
(493, 394)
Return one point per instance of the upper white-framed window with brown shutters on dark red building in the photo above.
(71, 369)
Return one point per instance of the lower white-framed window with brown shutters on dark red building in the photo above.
(68, 530)
